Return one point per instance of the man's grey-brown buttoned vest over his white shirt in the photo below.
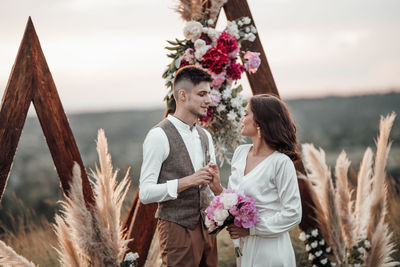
(185, 210)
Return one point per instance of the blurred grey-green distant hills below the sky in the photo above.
(333, 123)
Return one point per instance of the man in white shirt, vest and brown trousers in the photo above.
(178, 172)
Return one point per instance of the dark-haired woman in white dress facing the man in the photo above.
(264, 170)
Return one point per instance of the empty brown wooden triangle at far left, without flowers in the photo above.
(31, 81)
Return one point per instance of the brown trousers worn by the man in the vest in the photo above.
(183, 247)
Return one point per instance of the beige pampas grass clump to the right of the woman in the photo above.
(342, 224)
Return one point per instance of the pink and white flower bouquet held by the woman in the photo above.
(228, 208)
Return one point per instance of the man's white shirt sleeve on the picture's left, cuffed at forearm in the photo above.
(155, 151)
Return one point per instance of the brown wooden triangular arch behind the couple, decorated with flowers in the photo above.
(141, 224)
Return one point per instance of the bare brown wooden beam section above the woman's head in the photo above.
(262, 81)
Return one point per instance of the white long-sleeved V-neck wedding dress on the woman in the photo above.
(273, 183)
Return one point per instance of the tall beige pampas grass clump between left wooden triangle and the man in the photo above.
(92, 236)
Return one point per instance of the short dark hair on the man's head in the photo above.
(192, 74)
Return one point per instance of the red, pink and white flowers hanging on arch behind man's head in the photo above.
(217, 52)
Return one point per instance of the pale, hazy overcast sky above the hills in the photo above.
(109, 55)
